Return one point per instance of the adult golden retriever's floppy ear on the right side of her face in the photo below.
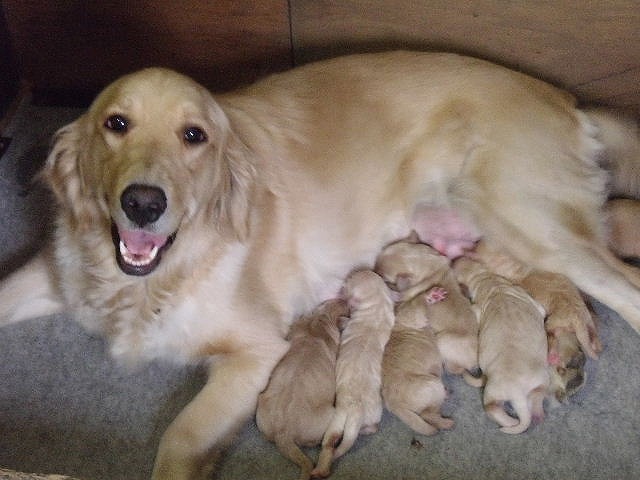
(235, 177)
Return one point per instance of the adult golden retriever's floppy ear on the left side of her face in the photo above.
(62, 168)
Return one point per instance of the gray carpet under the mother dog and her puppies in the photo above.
(66, 408)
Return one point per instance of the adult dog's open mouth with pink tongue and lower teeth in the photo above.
(139, 252)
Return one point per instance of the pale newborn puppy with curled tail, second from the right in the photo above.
(513, 346)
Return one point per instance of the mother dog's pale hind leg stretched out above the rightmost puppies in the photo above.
(549, 234)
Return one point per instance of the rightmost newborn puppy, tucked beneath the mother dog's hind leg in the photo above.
(570, 326)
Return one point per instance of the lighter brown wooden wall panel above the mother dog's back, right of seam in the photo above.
(591, 48)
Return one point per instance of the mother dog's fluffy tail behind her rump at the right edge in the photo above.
(620, 137)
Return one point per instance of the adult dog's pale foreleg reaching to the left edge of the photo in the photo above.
(29, 292)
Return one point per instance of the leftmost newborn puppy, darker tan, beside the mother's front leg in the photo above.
(297, 405)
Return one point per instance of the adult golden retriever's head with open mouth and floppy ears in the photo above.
(153, 152)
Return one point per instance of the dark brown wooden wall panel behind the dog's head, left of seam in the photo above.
(79, 46)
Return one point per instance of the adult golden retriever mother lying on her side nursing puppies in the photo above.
(196, 227)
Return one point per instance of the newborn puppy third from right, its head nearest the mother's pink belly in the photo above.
(413, 268)
